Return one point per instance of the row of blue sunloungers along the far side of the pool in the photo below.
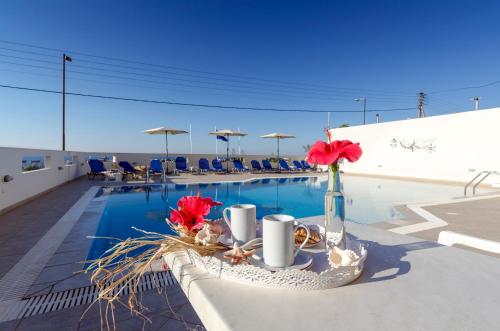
(156, 167)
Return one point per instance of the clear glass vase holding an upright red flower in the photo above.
(334, 212)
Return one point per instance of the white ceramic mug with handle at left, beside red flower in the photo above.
(243, 222)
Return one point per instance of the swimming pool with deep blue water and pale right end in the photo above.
(368, 200)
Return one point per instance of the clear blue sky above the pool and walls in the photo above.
(307, 54)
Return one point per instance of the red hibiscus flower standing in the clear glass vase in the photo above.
(323, 153)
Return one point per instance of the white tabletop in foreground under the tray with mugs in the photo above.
(407, 284)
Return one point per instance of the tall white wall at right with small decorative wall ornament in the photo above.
(449, 147)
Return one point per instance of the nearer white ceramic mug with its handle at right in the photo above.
(279, 240)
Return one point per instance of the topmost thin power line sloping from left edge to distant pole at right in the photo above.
(200, 71)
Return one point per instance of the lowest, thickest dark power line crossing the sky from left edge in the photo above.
(195, 105)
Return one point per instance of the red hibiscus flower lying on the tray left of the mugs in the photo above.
(191, 211)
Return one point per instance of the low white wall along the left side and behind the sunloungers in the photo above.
(29, 184)
